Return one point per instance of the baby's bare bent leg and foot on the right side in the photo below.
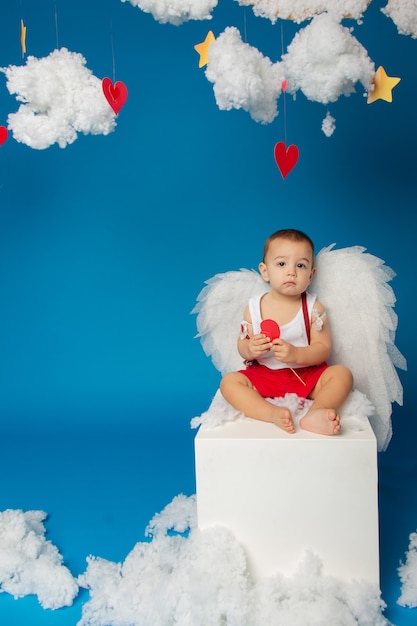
(332, 389)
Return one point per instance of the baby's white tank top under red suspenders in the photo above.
(294, 332)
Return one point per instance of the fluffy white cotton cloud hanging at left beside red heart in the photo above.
(61, 97)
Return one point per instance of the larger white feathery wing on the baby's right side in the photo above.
(353, 286)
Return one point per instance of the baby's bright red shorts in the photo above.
(276, 383)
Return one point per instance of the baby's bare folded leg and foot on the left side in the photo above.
(239, 391)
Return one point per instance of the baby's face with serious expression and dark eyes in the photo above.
(288, 266)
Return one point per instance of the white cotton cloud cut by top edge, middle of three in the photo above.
(299, 10)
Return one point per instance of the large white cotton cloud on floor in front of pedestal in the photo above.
(203, 579)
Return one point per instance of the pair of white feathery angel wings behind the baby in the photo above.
(353, 287)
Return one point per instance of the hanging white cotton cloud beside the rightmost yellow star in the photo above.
(325, 61)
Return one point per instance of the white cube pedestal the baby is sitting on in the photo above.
(282, 495)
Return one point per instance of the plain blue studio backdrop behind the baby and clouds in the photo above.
(105, 245)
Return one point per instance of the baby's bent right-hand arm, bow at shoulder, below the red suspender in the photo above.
(320, 343)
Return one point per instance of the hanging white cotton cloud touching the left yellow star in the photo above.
(243, 78)
